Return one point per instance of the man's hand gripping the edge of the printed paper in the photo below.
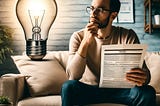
(136, 76)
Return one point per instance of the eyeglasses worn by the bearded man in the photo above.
(90, 9)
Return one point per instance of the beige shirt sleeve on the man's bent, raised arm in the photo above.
(76, 64)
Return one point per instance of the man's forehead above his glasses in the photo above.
(101, 3)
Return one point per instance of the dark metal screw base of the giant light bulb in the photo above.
(36, 50)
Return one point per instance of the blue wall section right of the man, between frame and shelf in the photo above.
(153, 40)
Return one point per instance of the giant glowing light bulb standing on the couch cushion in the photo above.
(36, 18)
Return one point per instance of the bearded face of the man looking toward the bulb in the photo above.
(100, 17)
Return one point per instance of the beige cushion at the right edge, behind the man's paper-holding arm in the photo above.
(153, 63)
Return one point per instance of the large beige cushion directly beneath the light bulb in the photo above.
(44, 77)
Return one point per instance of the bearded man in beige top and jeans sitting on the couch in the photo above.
(83, 68)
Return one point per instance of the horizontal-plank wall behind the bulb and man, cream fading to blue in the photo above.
(71, 17)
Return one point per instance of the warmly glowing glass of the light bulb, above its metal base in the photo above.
(44, 10)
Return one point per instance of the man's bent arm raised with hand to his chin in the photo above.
(78, 49)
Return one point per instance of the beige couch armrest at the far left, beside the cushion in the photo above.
(12, 86)
